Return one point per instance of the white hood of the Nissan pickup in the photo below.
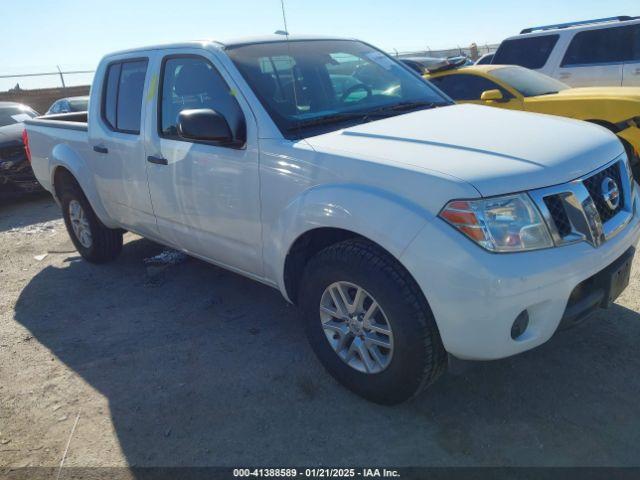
(497, 151)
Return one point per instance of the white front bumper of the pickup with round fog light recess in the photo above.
(475, 295)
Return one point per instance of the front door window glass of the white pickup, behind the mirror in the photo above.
(191, 82)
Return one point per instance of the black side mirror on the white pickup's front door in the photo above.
(205, 125)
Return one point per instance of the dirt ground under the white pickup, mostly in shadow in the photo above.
(182, 363)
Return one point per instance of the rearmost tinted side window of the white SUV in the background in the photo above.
(532, 52)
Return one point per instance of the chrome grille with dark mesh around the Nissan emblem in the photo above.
(577, 211)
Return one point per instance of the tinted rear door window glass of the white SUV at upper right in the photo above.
(605, 45)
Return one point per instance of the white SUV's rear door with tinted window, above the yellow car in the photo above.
(596, 57)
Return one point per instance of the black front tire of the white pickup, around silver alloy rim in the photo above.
(417, 357)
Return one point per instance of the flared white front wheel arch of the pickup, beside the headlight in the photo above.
(380, 216)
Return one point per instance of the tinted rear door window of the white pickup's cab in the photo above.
(122, 95)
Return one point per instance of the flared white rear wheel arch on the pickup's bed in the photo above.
(63, 156)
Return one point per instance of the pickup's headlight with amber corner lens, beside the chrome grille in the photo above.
(502, 224)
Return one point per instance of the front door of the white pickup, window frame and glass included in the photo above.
(205, 196)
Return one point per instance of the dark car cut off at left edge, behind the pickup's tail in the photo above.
(16, 175)
